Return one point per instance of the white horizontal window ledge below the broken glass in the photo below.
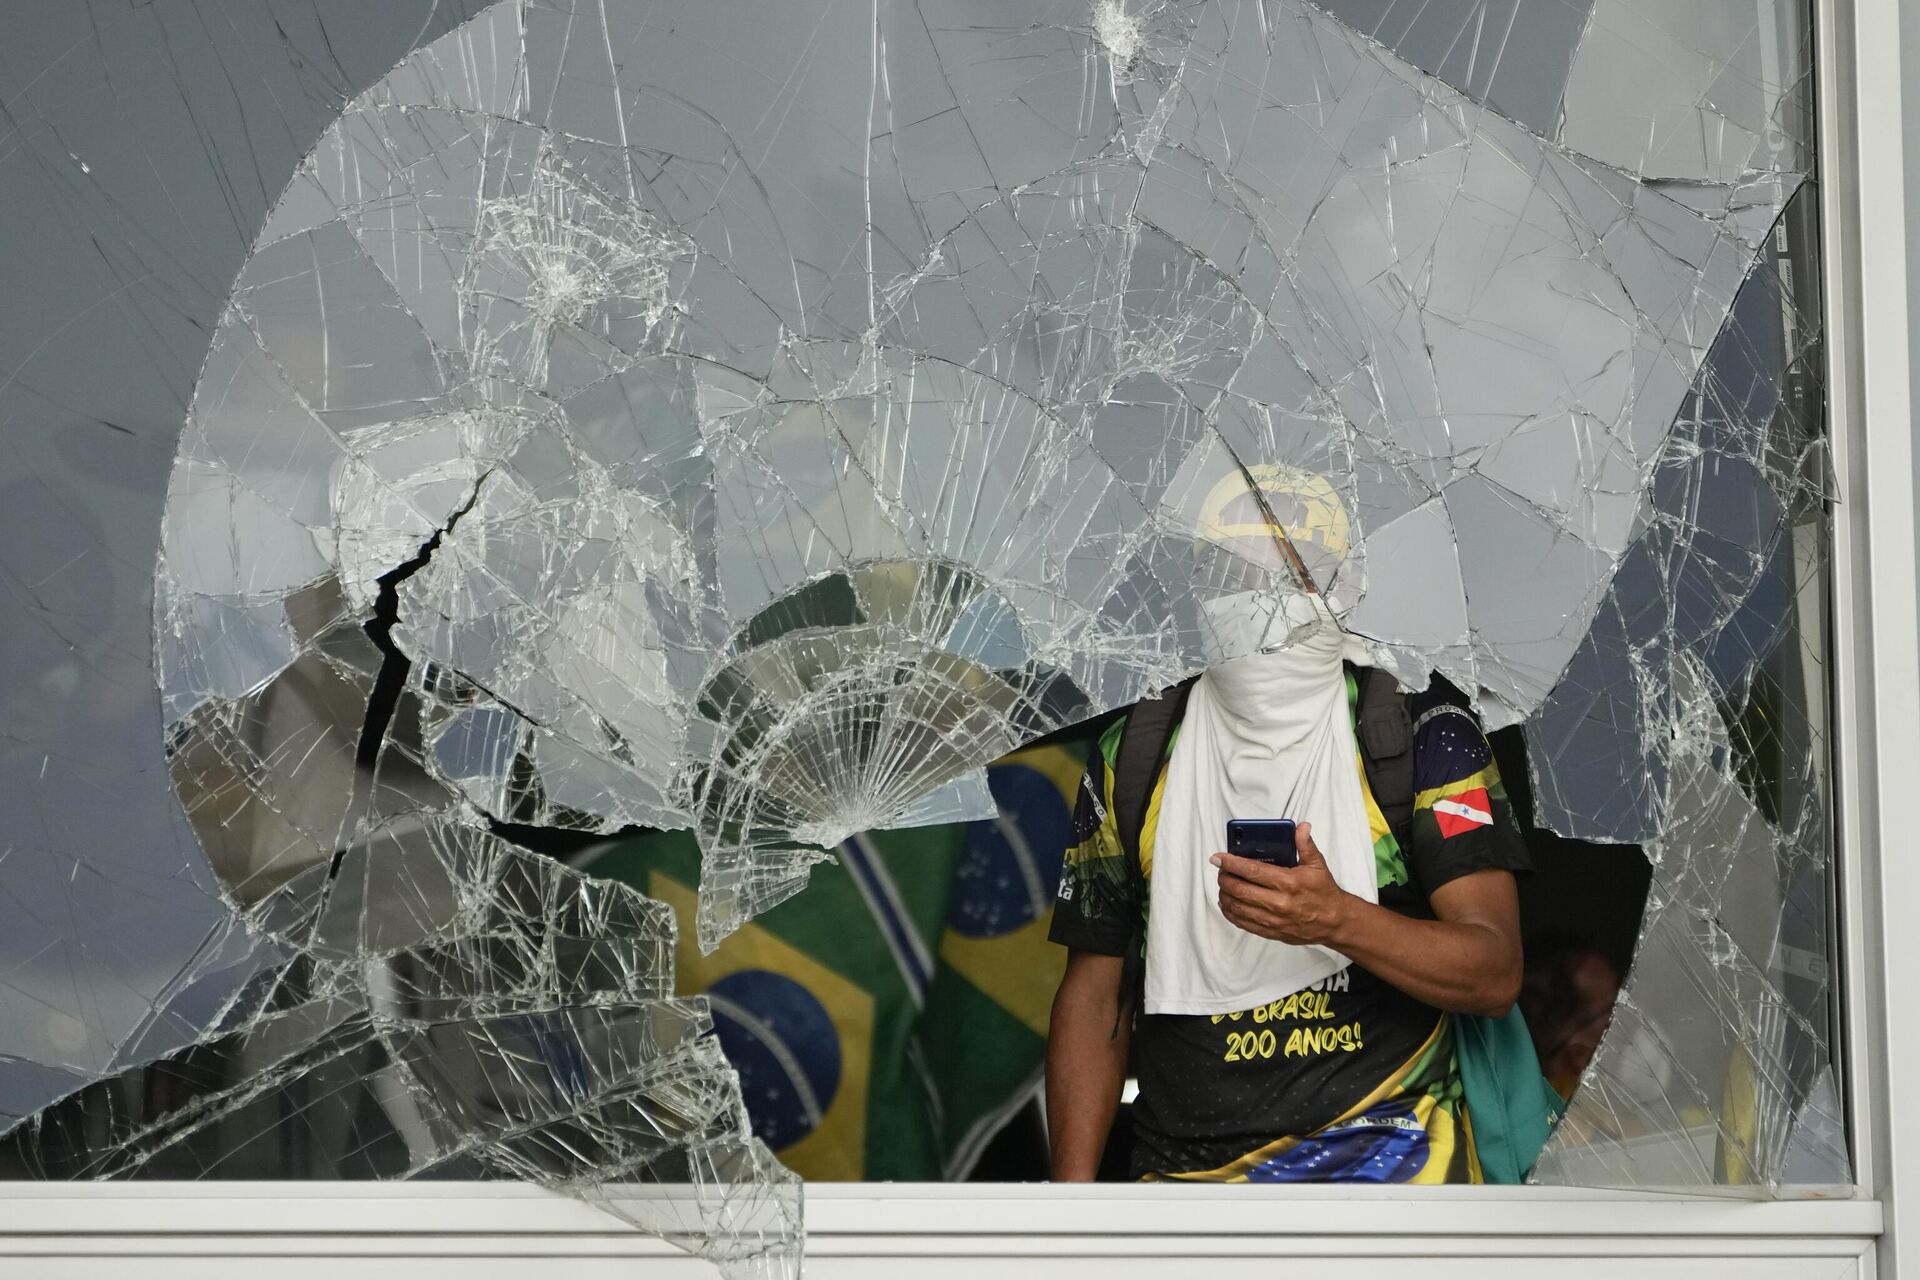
(279, 1231)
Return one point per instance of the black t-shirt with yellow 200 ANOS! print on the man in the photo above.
(1351, 1079)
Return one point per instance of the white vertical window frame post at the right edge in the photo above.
(1869, 201)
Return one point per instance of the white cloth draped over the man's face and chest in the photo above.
(1266, 736)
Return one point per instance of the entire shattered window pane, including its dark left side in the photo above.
(454, 448)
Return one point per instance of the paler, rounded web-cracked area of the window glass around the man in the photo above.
(648, 414)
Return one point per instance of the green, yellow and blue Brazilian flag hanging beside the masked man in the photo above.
(894, 1016)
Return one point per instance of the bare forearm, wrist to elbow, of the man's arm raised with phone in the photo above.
(1454, 966)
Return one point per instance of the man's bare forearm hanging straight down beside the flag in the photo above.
(1086, 1072)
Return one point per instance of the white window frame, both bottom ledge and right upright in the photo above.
(1871, 227)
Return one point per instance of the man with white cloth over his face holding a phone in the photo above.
(1285, 1024)
